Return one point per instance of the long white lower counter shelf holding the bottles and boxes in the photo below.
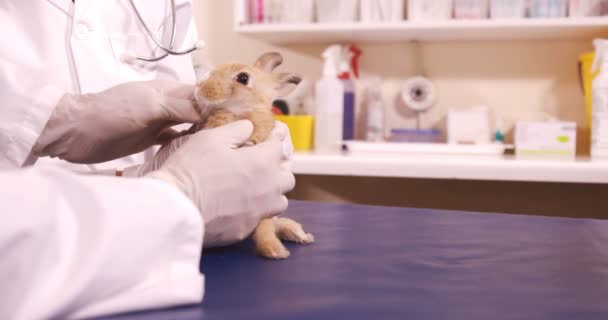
(493, 168)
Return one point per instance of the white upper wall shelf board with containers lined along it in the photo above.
(450, 30)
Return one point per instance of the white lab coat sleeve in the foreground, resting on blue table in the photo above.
(84, 246)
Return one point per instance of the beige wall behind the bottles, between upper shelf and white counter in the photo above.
(517, 79)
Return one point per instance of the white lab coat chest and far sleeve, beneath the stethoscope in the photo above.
(56, 46)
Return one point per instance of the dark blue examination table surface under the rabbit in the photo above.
(398, 263)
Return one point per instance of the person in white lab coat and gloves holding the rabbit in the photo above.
(77, 96)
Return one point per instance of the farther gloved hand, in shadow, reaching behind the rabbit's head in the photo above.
(121, 121)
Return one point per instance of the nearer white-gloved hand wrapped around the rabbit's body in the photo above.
(234, 187)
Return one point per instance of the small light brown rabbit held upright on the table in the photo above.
(233, 92)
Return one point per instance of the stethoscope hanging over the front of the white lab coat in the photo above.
(170, 50)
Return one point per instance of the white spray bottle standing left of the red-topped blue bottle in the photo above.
(329, 98)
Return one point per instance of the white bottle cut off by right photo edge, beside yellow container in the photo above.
(599, 113)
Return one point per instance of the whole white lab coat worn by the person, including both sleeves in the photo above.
(80, 246)
